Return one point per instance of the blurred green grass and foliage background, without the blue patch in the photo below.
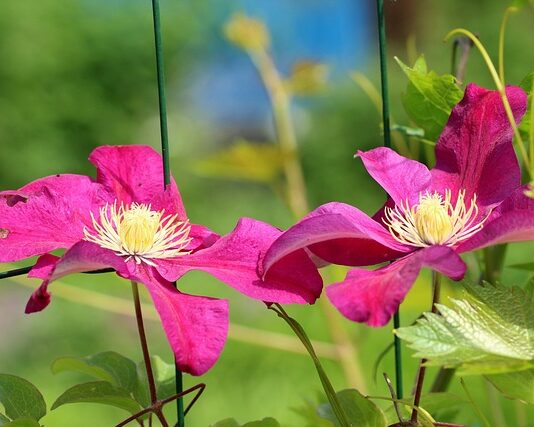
(76, 74)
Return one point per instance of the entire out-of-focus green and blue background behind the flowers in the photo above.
(76, 74)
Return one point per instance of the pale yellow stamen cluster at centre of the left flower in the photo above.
(138, 232)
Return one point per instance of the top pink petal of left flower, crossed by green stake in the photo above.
(135, 174)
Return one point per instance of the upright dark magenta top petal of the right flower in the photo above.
(475, 152)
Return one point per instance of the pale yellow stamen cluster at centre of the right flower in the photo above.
(434, 220)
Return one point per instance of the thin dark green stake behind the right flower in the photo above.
(387, 143)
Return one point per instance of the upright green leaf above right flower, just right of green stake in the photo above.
(429, 98)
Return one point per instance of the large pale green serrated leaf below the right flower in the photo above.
(489, 331)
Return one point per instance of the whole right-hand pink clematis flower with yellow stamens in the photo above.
(471, 199)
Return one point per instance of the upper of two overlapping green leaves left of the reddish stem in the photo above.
(108, 366)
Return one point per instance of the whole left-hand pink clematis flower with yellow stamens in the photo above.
(126, 221)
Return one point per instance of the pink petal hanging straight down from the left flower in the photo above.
(196, 327)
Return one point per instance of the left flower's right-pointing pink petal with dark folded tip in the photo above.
(233, 259)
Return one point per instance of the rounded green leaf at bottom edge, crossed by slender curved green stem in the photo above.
(360, 411)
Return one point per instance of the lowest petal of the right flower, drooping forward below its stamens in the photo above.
(374, 296)
